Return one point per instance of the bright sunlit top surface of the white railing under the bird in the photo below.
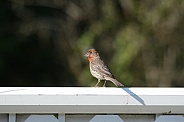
(90, 91)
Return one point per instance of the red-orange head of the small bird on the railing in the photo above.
(92, 54)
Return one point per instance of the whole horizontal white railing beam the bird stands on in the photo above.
(91, 100)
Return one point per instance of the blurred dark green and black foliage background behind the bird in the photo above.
(42, 42)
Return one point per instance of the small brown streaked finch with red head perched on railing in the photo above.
(98, 68)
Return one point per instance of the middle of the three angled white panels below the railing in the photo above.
(106, 118)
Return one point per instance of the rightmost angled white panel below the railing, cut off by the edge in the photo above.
(170, 118)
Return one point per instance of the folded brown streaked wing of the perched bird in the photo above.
(99, 65)
